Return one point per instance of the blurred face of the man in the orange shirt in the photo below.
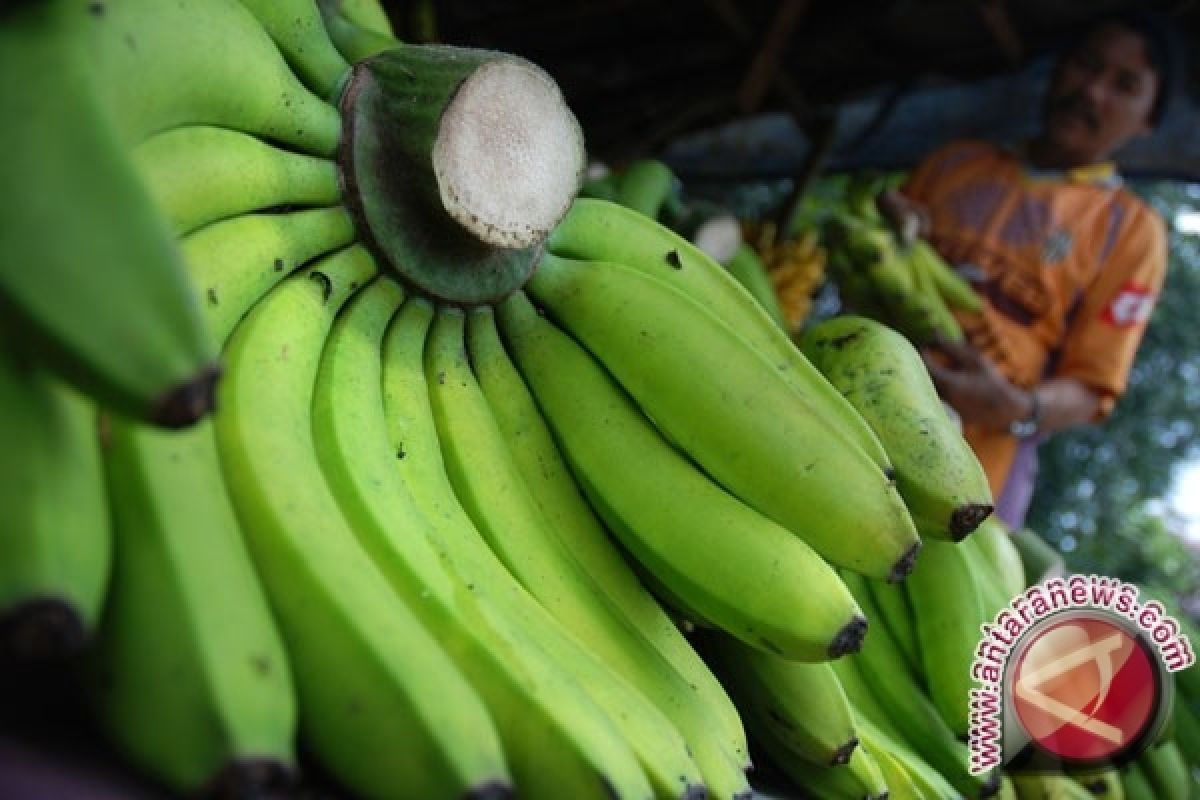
(1101, 97)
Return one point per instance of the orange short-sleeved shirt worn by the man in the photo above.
(1070, 267)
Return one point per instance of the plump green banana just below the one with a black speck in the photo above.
(746, 428)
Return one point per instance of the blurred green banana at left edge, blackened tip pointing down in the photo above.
(56, 543)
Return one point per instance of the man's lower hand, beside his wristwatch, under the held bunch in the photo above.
(975, 388)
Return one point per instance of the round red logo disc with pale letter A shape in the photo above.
(1085, 689)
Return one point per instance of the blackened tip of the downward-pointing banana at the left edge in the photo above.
(41, 630)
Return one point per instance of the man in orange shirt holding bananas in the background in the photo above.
(1067, 261)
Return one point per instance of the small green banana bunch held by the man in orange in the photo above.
(903, 284)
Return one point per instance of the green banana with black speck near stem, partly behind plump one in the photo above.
(607, 232)
